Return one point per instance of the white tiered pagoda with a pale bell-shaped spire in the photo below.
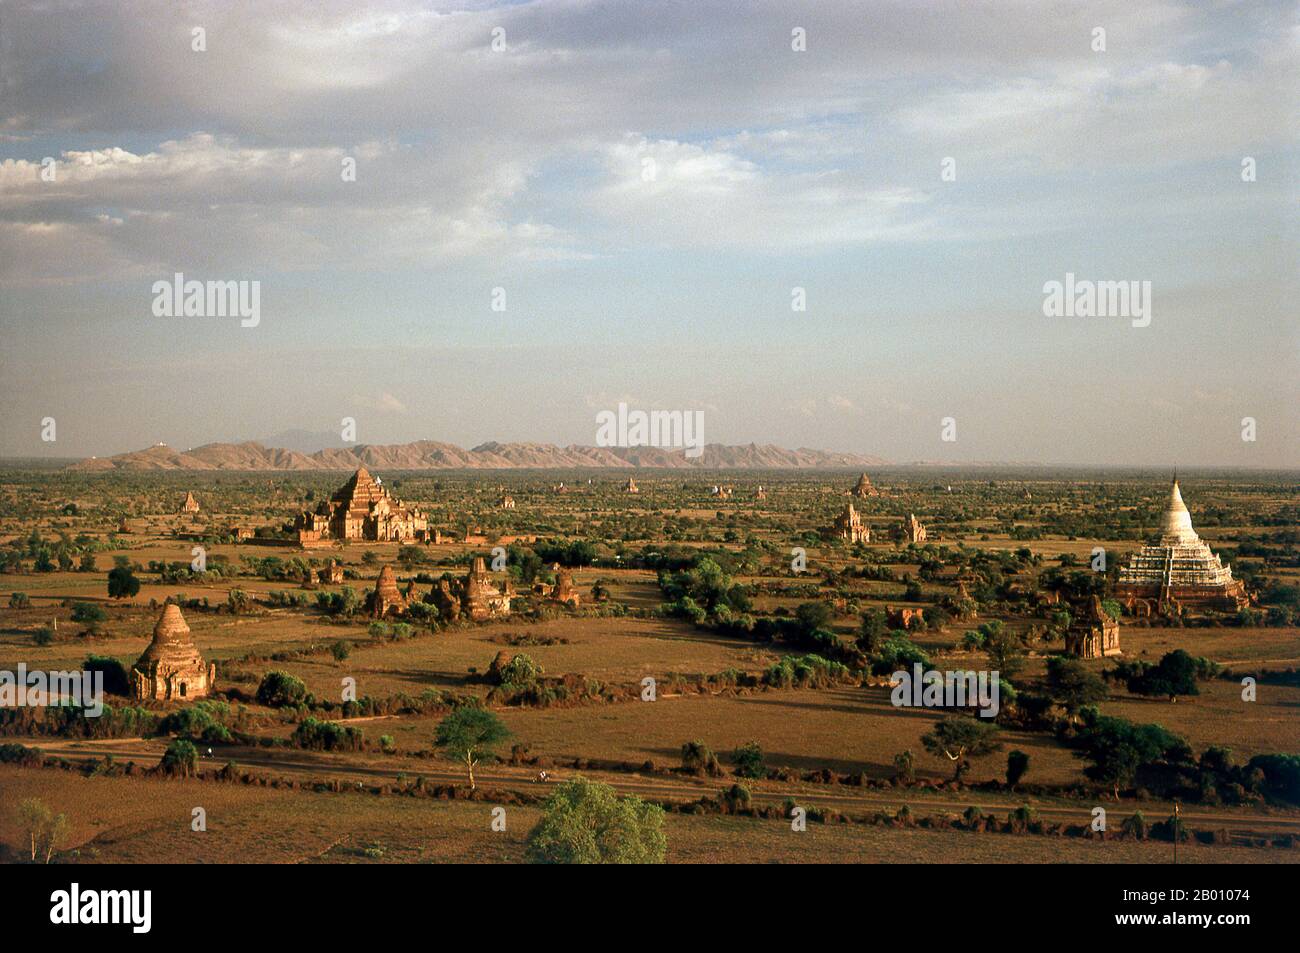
(1180, 570)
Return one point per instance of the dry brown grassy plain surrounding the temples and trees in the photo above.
(983, 530)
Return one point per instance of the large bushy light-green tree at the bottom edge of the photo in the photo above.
(586, 822)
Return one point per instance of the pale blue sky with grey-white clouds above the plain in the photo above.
(648, 189)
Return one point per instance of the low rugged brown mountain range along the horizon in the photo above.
(253, 456)
